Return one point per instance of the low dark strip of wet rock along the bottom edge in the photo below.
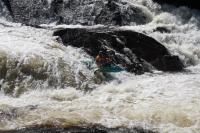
(83, 129)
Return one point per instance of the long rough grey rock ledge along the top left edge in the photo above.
(85, 12)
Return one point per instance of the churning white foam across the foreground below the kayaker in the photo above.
(167, 102)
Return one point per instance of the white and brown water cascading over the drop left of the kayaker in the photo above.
(32, 58)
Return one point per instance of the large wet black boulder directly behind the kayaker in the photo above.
(135, 51)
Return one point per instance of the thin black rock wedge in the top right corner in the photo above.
(189, 3)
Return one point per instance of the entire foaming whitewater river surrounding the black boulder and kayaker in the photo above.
(164, 102)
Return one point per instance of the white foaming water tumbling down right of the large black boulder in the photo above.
(183, 23)
